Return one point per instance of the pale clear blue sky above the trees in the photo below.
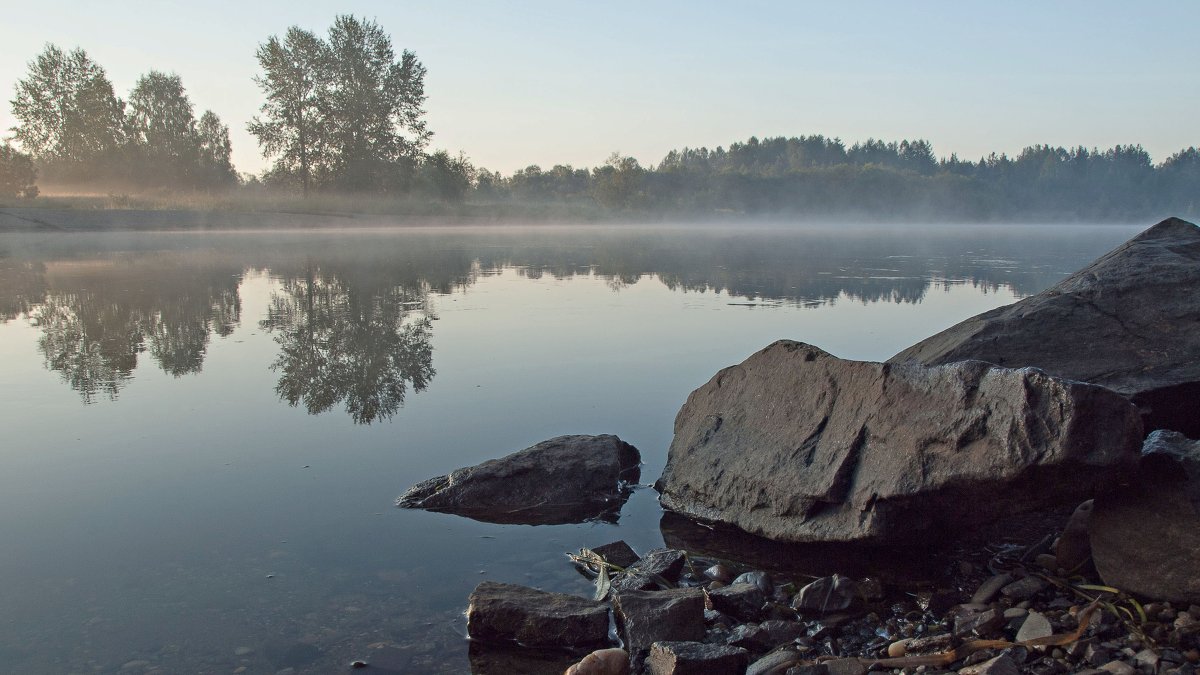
(513, 85)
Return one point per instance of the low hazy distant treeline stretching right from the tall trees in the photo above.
(821, 177)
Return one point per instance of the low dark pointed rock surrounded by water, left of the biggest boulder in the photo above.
(565, 480)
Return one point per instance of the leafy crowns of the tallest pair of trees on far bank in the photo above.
(344, 112)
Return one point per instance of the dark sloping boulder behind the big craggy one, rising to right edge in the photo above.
(1130, 321)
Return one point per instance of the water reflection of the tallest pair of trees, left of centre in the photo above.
(343, 339)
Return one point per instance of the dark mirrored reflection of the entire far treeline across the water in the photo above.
(352, 319)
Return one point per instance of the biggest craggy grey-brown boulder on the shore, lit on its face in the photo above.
(800, 446)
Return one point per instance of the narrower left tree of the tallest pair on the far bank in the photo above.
(292, 129)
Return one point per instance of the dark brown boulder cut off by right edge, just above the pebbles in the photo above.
(1147, 535)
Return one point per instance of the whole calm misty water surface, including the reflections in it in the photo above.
(203, 434)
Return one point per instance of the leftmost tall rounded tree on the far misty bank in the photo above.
(68, 112)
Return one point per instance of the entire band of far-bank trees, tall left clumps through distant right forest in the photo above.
(343, 115)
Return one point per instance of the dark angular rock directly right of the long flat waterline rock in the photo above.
(651, 617)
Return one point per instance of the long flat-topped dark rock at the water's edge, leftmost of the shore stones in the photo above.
(533, 618)
